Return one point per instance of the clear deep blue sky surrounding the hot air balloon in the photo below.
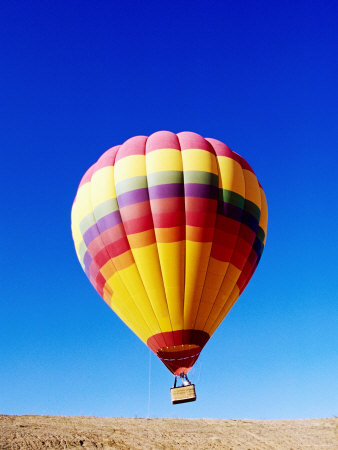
(79, 77)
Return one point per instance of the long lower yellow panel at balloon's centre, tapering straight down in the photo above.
(172, 260)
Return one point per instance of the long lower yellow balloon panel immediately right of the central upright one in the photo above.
(197, 259)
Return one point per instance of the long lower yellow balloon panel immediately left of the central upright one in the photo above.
(146, 259)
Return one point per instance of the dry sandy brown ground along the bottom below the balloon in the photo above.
(41, 432)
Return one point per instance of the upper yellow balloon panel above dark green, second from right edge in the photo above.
(231, 175)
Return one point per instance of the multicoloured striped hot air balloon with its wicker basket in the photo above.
(169, 229)
